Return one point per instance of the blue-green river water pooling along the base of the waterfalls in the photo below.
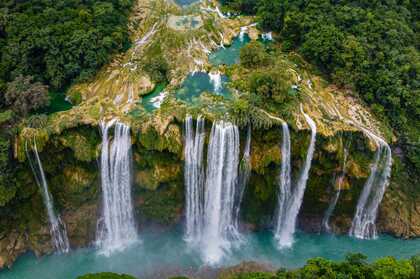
(167, 253)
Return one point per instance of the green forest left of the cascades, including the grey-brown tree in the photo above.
(45, 46)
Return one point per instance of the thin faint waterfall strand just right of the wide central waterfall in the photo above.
(244, 175)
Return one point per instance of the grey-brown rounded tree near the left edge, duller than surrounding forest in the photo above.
(24, 95)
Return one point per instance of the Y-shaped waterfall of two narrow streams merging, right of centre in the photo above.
(292, 202)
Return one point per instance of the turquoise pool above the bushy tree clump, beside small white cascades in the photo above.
(229, 55)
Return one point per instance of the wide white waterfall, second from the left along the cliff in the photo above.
(116, 229)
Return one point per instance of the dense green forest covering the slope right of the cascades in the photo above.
(370, 47)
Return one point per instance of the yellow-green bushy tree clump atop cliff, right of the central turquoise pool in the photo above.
(265, 86)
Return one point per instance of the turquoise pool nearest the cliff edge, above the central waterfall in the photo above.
(198, 83)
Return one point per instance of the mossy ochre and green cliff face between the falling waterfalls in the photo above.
(71, 165)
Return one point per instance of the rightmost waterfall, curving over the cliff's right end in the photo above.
(363, 225)
